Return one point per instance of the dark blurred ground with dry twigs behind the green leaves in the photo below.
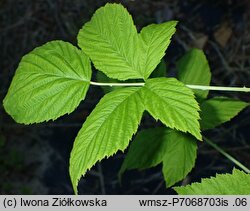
(34, 159)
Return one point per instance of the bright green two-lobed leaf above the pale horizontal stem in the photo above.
(115, 47)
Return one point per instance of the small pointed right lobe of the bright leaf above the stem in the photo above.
(156, 38)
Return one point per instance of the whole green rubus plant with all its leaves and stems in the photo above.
(54, 78)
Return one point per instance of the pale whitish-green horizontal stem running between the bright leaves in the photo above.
(215, 88)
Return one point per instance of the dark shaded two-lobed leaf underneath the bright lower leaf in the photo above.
(175, 149)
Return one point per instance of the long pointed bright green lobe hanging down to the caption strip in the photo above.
(107, 129)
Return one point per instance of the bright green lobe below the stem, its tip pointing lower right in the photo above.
(173, 104)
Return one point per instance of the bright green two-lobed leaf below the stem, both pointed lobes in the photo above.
(123, 108)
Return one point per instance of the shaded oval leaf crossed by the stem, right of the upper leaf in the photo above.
(193, 68)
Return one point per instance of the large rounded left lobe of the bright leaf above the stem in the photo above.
(112, 43)
